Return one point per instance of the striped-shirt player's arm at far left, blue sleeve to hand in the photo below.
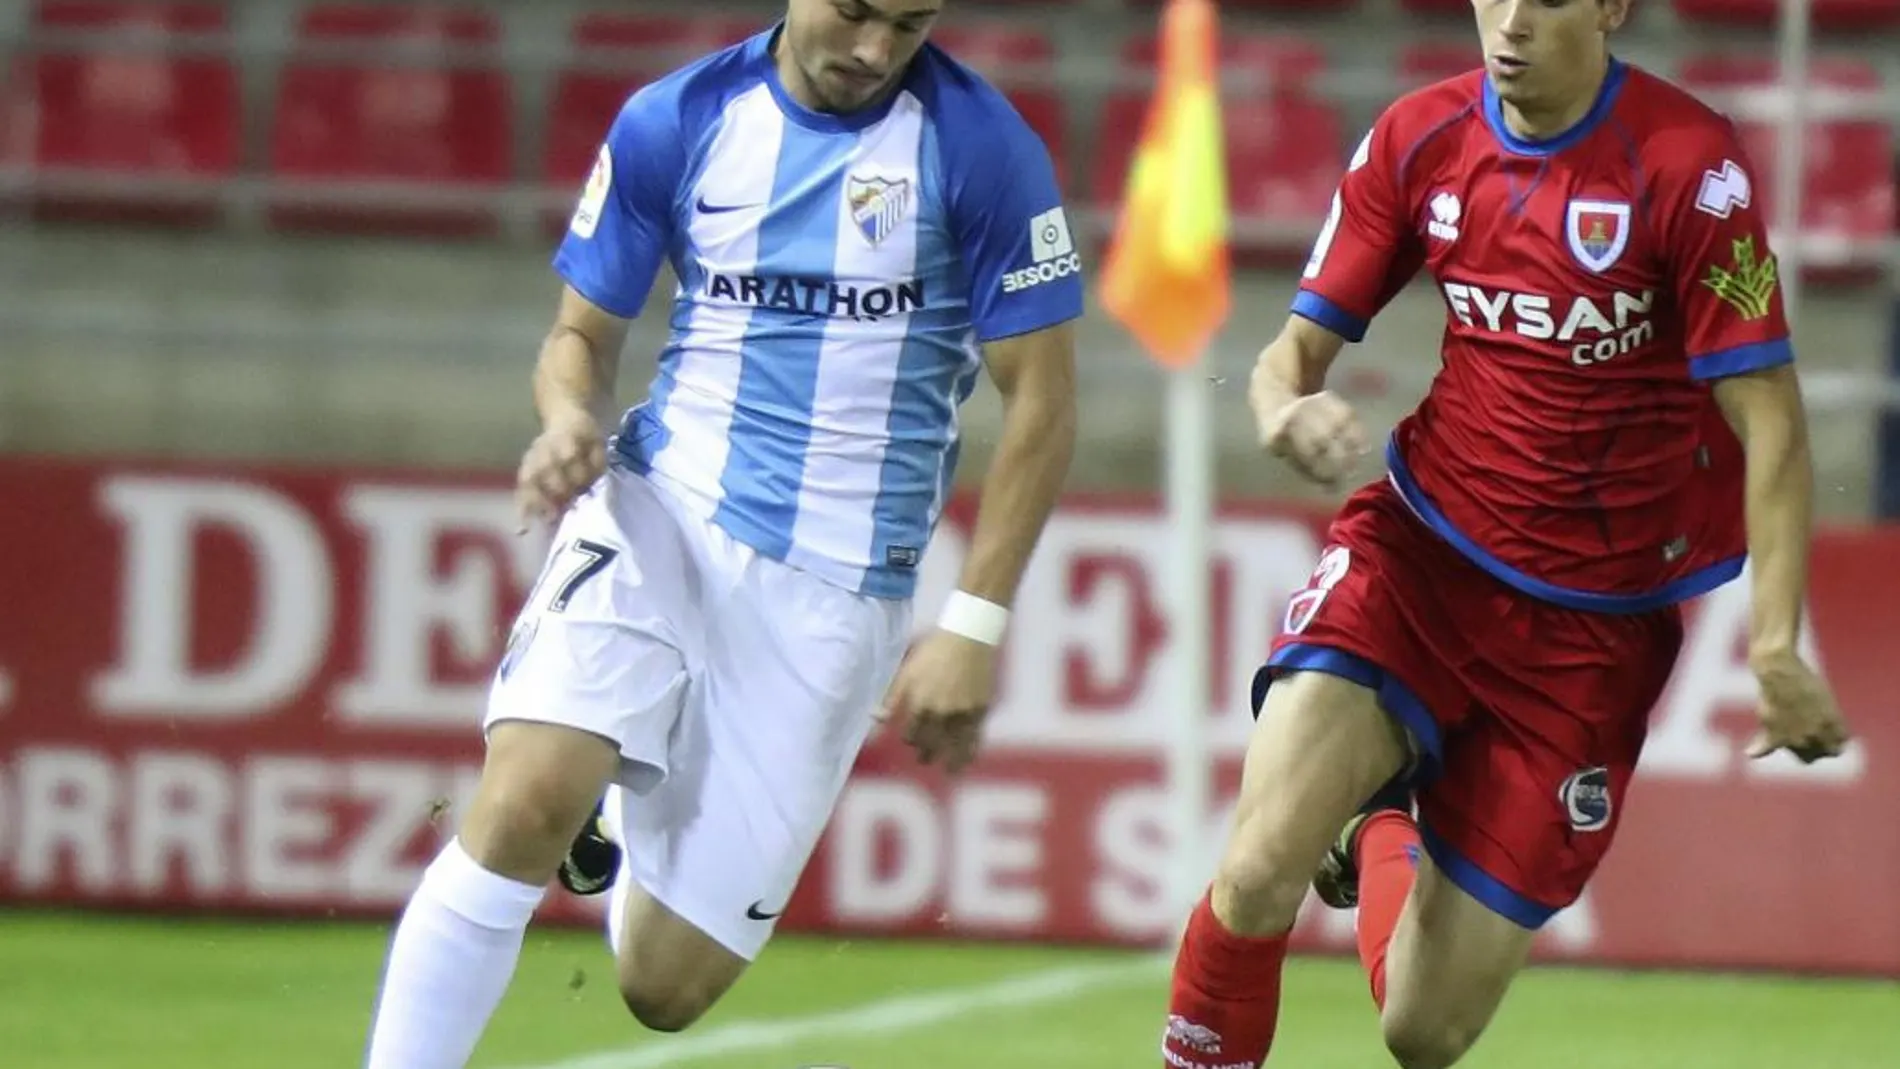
(620, 234)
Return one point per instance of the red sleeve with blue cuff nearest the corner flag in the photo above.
(1369, 250)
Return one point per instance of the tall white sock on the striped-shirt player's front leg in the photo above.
(453, 958)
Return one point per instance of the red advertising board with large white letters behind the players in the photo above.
(259, 690)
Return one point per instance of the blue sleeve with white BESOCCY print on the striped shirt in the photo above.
(1006, 208)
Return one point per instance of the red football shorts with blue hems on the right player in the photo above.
(1529, 715)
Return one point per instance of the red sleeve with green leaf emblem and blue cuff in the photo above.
(1726, 278)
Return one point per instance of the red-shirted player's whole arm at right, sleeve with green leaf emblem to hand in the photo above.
(1736, 333)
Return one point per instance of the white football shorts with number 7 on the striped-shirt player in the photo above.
(738, 688)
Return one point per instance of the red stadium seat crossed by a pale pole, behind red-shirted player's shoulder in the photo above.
(1848, 178)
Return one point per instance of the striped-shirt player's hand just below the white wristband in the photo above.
(941, 696)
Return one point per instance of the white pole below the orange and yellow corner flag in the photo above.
(1190, 508)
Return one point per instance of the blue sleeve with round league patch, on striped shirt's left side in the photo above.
(622, 227)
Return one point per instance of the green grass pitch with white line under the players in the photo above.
(92, 992)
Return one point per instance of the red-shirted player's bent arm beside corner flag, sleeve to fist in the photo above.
(1363, 255)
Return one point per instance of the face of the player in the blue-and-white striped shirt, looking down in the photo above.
(848, 52)
